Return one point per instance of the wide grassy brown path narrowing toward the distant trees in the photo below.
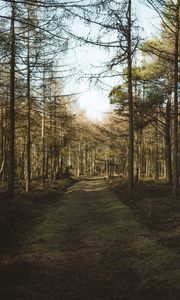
(89, 246)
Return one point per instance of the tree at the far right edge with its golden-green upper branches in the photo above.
(169, 14)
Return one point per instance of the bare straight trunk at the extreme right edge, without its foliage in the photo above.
(176, 79)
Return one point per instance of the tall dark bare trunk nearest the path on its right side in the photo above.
(130, 100)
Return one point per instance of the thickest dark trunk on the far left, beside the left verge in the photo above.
(11, 166)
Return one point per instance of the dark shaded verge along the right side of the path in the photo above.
(154, 206)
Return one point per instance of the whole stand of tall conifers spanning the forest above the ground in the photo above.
(41, 136)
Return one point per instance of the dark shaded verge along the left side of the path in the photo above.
(25, 211)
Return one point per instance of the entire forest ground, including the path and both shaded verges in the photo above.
(90, 244)
